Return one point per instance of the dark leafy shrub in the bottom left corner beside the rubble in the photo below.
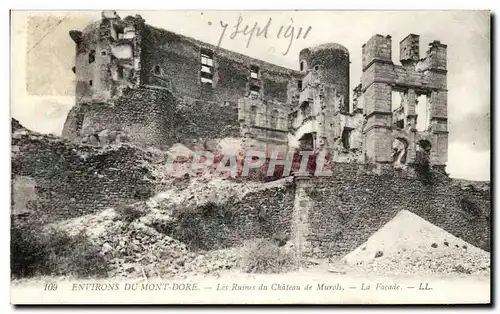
(53, 252)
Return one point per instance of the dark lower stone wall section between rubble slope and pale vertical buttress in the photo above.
(259, 214)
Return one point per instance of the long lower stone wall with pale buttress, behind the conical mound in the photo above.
(331, 216)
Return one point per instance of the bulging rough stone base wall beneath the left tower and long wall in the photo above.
(152, 116)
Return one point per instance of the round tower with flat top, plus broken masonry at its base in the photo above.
(324, 95)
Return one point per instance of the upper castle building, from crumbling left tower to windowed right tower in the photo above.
(268, 106)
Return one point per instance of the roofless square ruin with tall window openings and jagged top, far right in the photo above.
(405, 106)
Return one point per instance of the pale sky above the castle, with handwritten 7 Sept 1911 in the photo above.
(43, 55)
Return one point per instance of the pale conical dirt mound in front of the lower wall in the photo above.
(409, 244)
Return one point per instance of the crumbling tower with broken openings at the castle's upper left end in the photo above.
(107, 58)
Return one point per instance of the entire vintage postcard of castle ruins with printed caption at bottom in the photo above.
(250, 157)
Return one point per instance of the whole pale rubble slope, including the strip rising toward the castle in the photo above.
(136, 249)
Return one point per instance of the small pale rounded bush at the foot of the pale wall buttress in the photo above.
(263, 256)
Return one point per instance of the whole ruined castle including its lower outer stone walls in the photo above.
(152, 87)
